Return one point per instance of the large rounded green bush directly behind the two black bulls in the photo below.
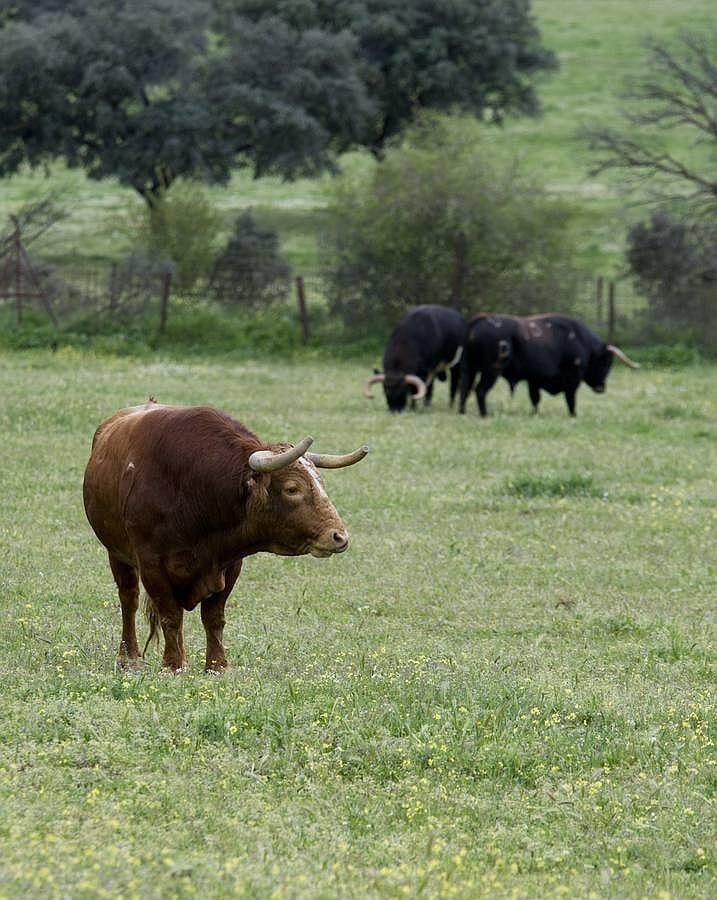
(440, 221)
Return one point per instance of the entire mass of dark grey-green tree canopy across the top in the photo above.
(149, 91)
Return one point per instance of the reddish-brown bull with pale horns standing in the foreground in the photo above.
(180, 495)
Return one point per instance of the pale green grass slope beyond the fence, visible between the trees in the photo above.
(599, 43)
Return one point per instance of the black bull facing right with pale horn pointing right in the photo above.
(551, 352)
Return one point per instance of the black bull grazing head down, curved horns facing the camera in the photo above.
(425, 345)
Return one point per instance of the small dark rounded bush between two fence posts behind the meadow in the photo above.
(250, 272)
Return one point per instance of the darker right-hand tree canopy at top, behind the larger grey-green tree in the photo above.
(477, 56)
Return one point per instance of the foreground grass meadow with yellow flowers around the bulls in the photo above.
(505, 688)
